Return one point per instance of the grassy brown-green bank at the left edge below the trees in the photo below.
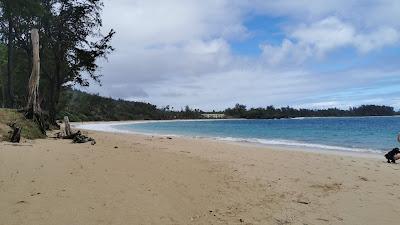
(30, 130)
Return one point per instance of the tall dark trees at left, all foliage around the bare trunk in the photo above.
(71, 45)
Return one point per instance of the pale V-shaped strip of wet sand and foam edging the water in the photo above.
(313, 148)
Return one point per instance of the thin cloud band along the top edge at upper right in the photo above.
(366, 13)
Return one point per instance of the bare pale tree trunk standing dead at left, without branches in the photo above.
(33, 110)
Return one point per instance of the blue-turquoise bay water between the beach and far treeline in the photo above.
(368, 134)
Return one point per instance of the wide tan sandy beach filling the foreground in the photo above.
(137, 179)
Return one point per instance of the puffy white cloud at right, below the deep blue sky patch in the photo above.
(319, 38)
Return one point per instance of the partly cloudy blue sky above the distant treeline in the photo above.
(212, 54)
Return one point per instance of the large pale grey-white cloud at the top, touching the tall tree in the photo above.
(149, 22)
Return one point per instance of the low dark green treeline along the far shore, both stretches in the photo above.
(81, 106)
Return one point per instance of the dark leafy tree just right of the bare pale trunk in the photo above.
(69, 54)
